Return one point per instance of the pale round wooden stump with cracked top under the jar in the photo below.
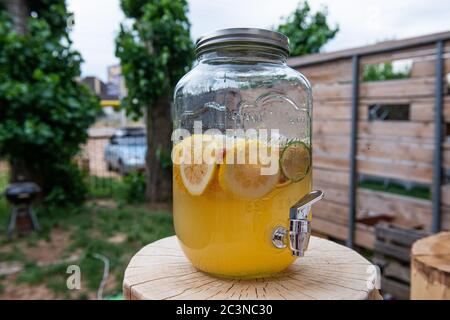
(328, 271)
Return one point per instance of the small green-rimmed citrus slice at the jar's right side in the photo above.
(295, 161)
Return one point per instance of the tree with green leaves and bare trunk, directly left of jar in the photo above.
(155, 50)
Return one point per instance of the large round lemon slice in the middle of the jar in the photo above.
(245, 179)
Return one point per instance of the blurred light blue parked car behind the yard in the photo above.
(126, 150)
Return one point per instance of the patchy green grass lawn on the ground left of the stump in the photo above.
(104, 226)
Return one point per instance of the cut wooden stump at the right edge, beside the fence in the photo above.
(430, 268)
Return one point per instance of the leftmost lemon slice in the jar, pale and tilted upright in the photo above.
(196, 171)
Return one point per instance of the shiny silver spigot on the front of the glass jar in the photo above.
(299, 225)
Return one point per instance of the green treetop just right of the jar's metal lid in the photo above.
(308, 32)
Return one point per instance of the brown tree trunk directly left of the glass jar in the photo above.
(159, 131)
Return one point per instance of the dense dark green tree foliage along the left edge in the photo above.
(44, 112)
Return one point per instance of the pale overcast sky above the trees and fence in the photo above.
(361, 22)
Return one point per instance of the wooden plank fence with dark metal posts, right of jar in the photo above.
(403, 150)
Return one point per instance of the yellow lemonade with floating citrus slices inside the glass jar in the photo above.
(225, 214)
